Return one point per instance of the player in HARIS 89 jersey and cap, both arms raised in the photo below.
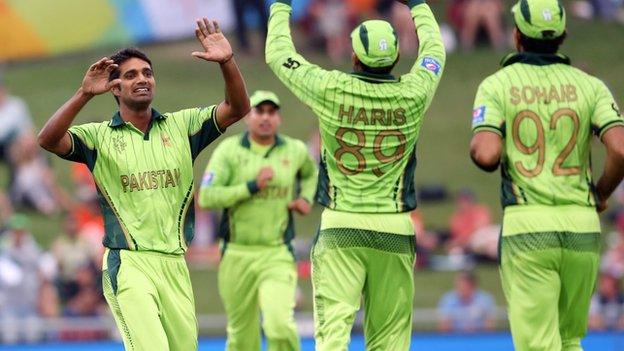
(369, 124)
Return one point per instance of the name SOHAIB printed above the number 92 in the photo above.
(534, 94)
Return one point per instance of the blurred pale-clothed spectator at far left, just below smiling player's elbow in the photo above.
(33, 183)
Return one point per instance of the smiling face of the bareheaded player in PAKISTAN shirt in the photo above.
(137, 86)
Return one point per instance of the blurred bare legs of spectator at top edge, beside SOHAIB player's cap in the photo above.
(469, 17)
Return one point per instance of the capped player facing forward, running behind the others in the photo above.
(254, 177)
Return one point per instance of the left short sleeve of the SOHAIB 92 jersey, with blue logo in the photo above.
(487, 114)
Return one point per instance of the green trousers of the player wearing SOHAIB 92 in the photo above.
(548, 280)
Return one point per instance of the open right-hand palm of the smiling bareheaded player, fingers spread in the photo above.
(216, 46)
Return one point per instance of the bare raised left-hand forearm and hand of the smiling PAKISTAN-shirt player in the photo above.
(53, 136)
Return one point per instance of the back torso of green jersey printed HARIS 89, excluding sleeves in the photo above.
(369, 130)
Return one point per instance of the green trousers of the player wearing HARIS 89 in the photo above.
(350, 263)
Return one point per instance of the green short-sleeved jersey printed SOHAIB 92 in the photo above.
(547, 111)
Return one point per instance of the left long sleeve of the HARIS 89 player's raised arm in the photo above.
(306, 80)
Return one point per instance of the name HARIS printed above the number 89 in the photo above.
(374, 116)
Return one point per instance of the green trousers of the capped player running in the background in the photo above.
(259, 281)
